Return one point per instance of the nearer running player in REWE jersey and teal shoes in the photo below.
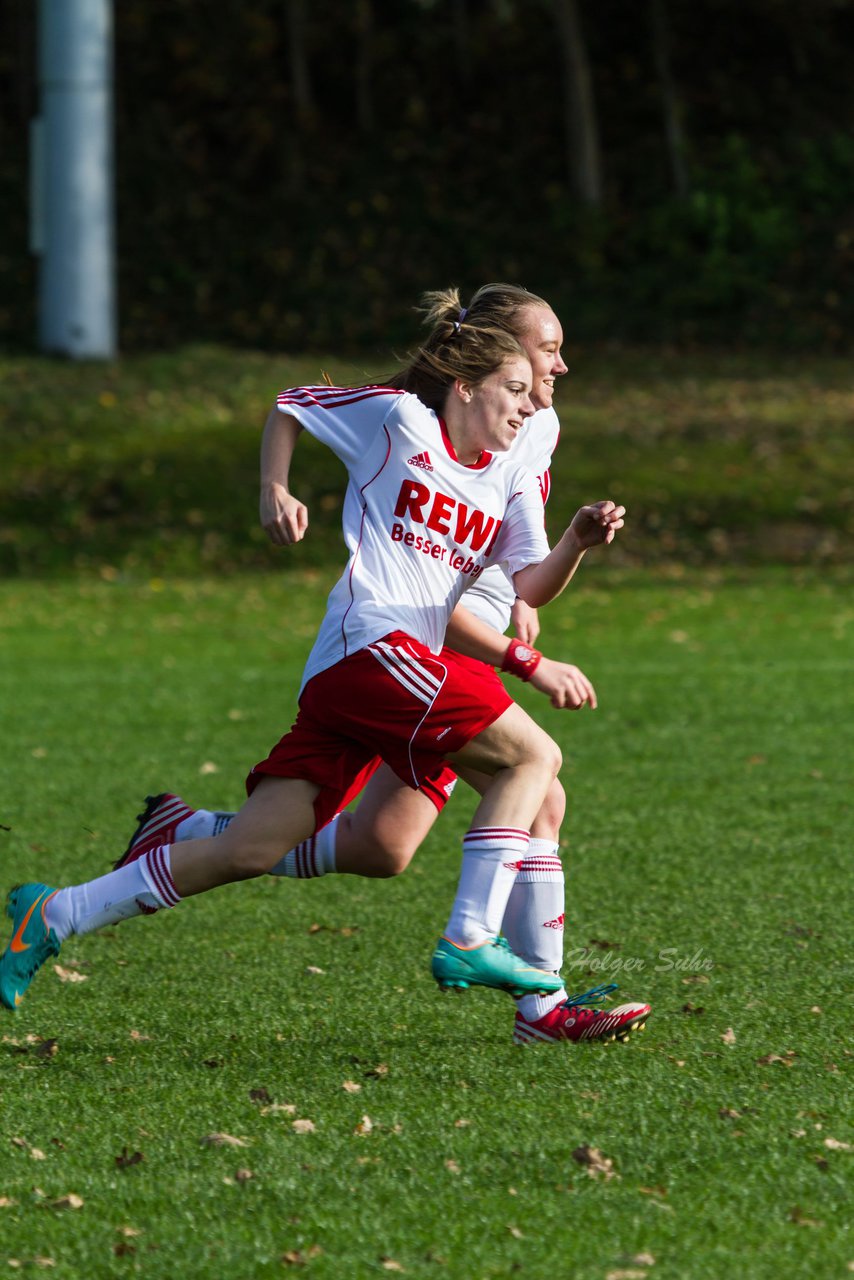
(375, 683)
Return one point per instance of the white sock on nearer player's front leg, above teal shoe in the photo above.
(491, 862)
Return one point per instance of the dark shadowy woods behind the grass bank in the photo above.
(293, 173)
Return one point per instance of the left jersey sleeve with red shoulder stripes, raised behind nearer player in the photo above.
(346, 419)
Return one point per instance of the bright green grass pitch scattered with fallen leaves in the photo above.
(709, 851)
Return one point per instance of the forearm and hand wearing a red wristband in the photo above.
(565, 685)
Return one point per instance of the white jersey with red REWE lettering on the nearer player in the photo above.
(421, 527)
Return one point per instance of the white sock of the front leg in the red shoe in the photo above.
(533, 922)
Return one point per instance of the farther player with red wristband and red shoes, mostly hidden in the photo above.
(381, 836)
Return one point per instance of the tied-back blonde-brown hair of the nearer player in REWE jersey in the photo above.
(464, 344)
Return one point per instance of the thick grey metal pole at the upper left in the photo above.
(74, 216)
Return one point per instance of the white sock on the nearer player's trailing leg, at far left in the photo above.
(140, 888)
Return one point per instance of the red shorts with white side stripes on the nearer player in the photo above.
(394, 701)
